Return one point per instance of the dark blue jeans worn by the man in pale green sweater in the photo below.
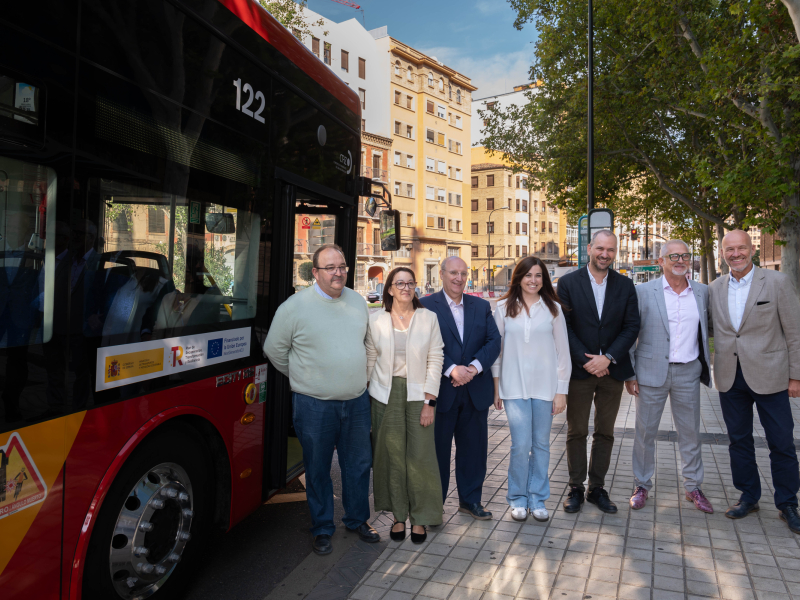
(321, 426)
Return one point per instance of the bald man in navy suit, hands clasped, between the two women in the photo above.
(471, 345)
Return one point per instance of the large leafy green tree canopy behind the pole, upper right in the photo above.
(697, 113)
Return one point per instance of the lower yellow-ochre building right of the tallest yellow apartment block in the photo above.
(508, 222)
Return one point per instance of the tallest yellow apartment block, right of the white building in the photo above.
(430, 117)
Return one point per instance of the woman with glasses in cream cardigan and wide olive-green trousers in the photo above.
(404, 366)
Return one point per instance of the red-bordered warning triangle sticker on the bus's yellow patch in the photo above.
(21, 485)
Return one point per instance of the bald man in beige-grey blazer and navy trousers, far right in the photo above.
(756, 327)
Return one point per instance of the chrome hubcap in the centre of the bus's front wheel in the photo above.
(151, 532)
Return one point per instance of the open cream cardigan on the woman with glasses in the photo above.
(424, 355)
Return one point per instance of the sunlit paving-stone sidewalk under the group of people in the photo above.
(666, 551)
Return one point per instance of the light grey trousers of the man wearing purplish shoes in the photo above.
(683, 388)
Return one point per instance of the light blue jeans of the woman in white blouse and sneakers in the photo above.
(529, 420)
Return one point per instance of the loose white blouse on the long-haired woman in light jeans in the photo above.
(534, 359)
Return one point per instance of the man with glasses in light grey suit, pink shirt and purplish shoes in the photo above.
(670, 358)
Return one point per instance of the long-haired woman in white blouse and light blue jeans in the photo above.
(531, 376)
